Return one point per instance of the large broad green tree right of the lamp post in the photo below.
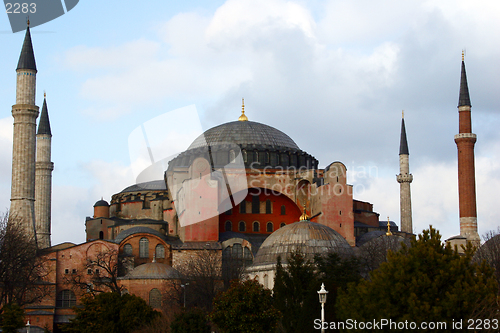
(425, 282)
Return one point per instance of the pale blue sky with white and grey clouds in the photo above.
(333, 75)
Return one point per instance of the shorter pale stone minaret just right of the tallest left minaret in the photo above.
(43, 178)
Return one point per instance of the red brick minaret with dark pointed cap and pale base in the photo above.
(465, 141)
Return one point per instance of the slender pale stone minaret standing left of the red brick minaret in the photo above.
(404, 179)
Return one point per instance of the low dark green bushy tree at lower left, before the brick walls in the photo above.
(111, 313)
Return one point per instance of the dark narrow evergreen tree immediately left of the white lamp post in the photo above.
(295, 293)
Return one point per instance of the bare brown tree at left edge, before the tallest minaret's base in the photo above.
(22, 267)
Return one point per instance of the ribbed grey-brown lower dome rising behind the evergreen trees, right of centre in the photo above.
(308, 237)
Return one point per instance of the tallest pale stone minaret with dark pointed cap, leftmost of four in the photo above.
(25, 112)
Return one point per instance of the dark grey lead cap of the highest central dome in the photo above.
(245, 133)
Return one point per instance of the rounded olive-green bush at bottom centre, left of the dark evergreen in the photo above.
(245, 307)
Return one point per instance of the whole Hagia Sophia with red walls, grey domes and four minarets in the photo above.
(242, 191)
